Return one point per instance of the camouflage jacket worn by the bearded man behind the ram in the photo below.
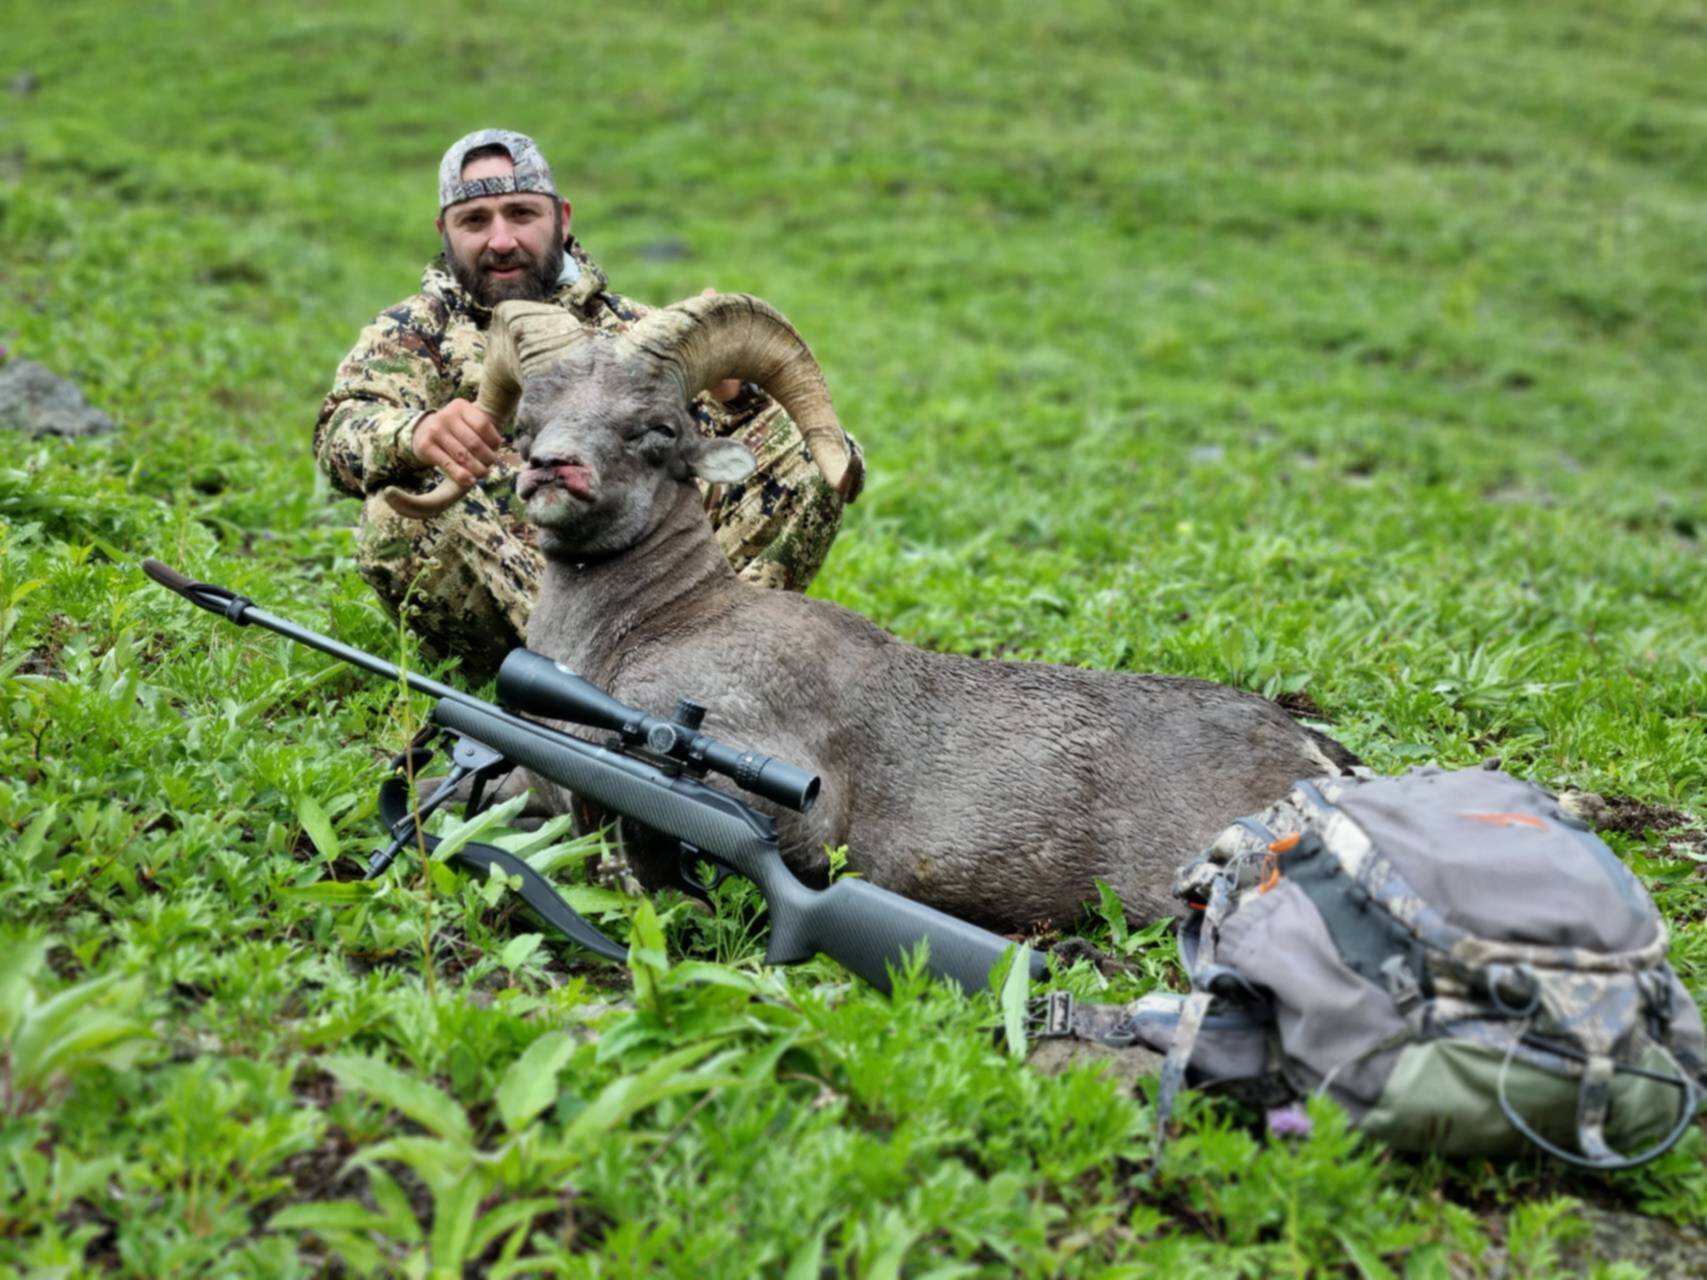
(429, 351)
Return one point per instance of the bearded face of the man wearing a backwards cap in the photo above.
(506, 247)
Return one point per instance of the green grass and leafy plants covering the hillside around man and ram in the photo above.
(1310, 347)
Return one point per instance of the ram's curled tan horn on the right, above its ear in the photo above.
(738, 335)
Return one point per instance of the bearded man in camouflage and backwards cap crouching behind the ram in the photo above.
(402, 410)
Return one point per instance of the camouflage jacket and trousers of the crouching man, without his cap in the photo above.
(470, 578)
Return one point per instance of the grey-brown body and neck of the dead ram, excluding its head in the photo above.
(994, 791)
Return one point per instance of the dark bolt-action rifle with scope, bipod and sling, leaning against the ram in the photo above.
(650, 771)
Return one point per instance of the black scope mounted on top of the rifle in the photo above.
(533, 684)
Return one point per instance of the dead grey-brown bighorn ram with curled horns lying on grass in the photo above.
(994, 791)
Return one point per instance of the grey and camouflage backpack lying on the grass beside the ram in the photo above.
(1450, 955)
